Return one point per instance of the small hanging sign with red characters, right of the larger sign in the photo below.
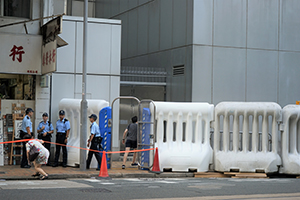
(49, 57)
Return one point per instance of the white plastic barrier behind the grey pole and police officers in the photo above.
(72, 109)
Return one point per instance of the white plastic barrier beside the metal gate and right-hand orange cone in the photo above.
(183, 132)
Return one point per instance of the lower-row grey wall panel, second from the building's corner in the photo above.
(228, 74)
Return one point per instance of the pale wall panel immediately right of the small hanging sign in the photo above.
(66, 54)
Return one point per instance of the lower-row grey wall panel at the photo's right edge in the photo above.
(289, 71)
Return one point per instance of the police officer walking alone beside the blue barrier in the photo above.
(95, 141)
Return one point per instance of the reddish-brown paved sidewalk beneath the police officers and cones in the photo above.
(14, 172)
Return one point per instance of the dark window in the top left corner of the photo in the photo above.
(15, 8)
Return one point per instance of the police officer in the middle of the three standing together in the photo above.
(45, 130)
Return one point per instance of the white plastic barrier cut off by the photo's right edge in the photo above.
(291, 140)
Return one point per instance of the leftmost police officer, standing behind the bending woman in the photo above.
(26, 130)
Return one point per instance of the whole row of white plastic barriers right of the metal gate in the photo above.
(233, 136)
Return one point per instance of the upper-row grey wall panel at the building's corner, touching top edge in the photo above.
(202, 30)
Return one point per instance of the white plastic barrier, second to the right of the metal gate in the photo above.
(256, 149)
